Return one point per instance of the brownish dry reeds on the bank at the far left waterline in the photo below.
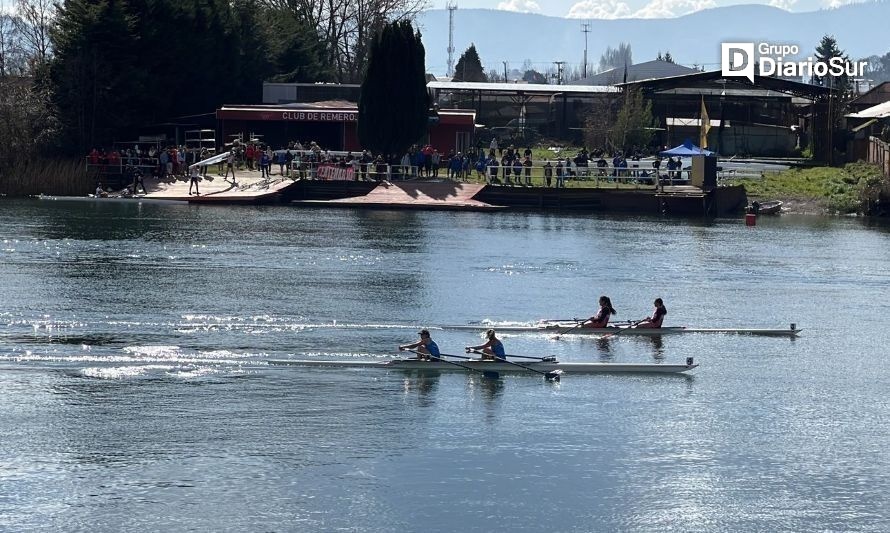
(61, 177)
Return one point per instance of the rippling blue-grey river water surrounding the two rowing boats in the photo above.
(136, 394)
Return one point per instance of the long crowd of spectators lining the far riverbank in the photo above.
(497, 165)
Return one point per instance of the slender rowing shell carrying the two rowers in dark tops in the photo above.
(572, 329)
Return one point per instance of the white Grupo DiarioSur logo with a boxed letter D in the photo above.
(738, 59)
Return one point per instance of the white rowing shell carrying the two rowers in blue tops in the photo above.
(494, 366)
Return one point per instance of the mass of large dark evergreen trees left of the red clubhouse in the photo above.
(122, 64)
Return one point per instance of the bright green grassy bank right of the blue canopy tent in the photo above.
(855, 188)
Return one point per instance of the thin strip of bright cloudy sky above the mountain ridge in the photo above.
(609, 9)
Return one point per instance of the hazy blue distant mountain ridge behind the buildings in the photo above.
(692, 39)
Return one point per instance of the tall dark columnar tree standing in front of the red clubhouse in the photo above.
(394, 105)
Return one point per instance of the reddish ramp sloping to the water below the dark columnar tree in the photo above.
(415, 195)
